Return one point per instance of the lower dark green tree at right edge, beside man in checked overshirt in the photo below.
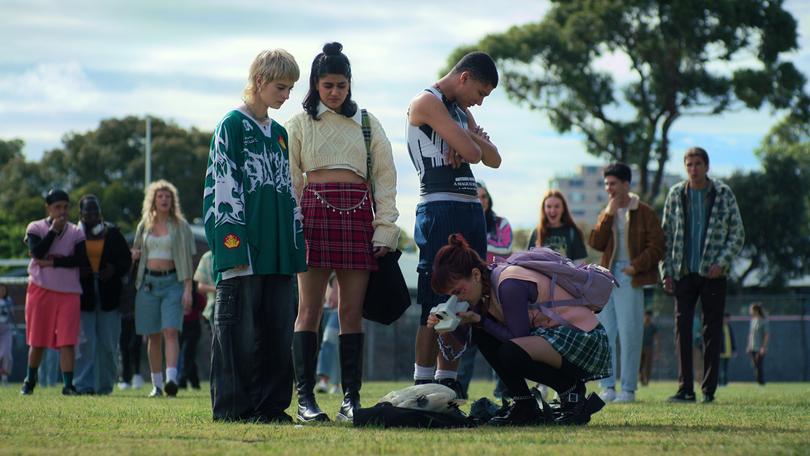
(775, 207)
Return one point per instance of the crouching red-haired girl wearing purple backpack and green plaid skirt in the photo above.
(533, 318)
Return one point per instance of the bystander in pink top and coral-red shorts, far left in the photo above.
(53, 299)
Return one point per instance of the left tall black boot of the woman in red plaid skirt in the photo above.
(305, 355)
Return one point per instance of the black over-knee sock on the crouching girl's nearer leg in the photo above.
(523, 366)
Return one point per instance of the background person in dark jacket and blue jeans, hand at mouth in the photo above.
(108, 260)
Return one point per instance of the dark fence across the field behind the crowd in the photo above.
(390, 349)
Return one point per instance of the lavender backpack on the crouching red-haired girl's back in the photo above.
(590, 285)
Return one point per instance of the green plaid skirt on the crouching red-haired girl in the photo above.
(590, 351)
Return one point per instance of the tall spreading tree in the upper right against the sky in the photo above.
(685, 57)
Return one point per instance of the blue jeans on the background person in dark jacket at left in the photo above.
(97, 364)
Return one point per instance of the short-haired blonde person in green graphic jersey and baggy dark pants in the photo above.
(253, 227)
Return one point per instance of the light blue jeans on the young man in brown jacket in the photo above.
(624, 316)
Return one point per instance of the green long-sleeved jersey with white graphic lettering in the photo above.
(251, 216)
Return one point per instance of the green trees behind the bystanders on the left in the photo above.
(108, 162)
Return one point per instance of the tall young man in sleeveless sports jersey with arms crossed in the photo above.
(444, 141)
